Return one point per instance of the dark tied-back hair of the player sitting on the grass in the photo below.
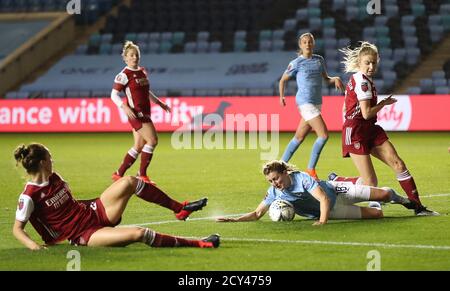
(30, 156)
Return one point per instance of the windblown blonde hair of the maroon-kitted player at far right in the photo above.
(353, 56)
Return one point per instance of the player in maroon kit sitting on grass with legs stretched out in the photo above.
(48, 204)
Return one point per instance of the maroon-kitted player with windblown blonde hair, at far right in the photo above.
(361, 136)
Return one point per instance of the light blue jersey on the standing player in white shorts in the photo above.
(308, 73)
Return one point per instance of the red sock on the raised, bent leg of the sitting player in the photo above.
(151, 193)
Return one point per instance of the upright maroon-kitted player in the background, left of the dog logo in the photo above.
(133, 80)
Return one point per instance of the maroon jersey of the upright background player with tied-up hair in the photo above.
(136, 86)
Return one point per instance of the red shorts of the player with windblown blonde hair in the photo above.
(360, 137)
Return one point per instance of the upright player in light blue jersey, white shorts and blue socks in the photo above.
(309, 70)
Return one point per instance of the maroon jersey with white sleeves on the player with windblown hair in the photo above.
(359, 88)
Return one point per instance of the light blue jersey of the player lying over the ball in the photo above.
(299, 194)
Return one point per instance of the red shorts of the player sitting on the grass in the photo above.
(97, 221)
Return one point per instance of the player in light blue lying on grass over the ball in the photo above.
(321, 200)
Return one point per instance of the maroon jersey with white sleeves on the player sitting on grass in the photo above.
(53, 212)
